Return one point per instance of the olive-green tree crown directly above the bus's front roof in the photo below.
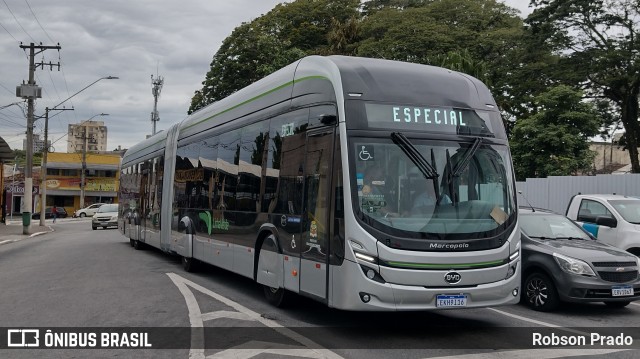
(485, 34)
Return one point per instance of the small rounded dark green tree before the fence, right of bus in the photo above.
(554, 140)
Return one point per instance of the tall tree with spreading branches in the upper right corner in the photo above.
(598, 41)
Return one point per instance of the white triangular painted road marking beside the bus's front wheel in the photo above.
(197, 319)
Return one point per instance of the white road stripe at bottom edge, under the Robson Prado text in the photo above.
(534, 353)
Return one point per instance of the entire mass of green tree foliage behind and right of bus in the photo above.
(525, 65)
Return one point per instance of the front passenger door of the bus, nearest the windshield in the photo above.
(315, 232)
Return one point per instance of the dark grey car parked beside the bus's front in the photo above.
(564, 263)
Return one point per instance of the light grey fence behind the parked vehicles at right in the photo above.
(555, 192)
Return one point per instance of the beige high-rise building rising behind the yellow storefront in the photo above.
(90, 136)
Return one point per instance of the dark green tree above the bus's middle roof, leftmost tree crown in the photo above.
(287, 33)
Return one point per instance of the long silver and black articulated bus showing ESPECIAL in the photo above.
(365, 184)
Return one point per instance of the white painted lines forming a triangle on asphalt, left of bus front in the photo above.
(312, 350)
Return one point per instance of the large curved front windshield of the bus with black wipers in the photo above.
(433, 189)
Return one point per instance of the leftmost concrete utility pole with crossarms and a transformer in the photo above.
(30, 91)
